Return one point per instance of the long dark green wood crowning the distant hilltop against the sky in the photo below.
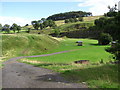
(68, 15)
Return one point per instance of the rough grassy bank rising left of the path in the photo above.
(26, 44)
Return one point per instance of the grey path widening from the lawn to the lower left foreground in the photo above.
(21, 75)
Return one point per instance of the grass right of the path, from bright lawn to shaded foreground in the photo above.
(95, 74)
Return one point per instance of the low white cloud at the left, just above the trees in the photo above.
(18, 20)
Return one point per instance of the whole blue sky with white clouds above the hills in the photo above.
(24, 11)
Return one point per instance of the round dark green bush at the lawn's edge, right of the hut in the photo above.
(104, 39)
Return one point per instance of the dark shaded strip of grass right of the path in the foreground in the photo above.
(106, 72)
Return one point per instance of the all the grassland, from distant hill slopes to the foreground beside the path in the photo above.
(98, 73)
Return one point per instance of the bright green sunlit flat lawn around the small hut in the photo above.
(89, 51)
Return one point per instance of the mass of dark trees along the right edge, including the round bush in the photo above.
(109, 27)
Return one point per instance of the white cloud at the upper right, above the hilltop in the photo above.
(97, 7)
